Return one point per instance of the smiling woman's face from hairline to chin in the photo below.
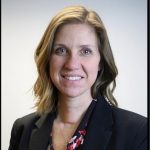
(74, 63)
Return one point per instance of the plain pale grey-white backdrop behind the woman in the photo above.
(23, 24)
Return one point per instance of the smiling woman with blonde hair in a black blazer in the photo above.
(75, 105)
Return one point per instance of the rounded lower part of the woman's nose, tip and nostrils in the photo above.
(72, 63)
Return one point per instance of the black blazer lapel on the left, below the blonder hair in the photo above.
(40, 135)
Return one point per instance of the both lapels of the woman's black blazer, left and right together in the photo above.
(98, 134)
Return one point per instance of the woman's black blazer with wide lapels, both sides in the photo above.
(110, 128)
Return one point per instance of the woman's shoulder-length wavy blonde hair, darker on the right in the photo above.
(44, 90)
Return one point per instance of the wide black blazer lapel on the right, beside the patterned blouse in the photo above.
(100, 127)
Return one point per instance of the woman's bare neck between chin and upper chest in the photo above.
(71, 110)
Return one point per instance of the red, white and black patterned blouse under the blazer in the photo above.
(77, 139)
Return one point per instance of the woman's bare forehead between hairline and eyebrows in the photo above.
(76, 32)
